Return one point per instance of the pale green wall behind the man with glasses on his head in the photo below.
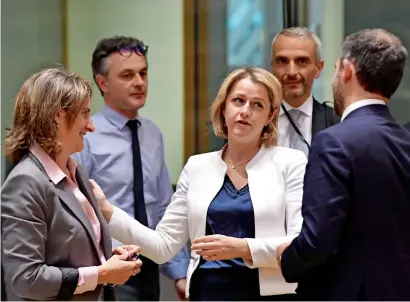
(159, 23)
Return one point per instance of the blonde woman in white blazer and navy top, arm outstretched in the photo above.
(236, 205)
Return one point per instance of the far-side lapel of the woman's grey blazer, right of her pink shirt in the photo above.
(88, 193)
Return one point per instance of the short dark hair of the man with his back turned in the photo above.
(379, 58)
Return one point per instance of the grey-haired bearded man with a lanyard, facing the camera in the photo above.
(296, 62)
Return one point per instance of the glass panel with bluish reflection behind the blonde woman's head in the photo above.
(240, 34)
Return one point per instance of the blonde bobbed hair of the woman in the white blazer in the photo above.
(269, 134)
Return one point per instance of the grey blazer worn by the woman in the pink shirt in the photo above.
(47, 236)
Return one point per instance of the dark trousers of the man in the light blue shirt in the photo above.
(143, 286)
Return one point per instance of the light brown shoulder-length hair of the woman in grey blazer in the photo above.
(41, 96)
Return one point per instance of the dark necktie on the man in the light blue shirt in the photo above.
(139, 201)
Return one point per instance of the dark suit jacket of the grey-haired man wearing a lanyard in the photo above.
(322, 117)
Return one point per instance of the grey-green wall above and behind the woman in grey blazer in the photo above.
(31, 41)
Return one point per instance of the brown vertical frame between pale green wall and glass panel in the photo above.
(196, 75)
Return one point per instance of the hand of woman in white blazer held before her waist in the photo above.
(220, 247)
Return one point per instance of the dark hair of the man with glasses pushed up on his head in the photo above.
(107, 46)
